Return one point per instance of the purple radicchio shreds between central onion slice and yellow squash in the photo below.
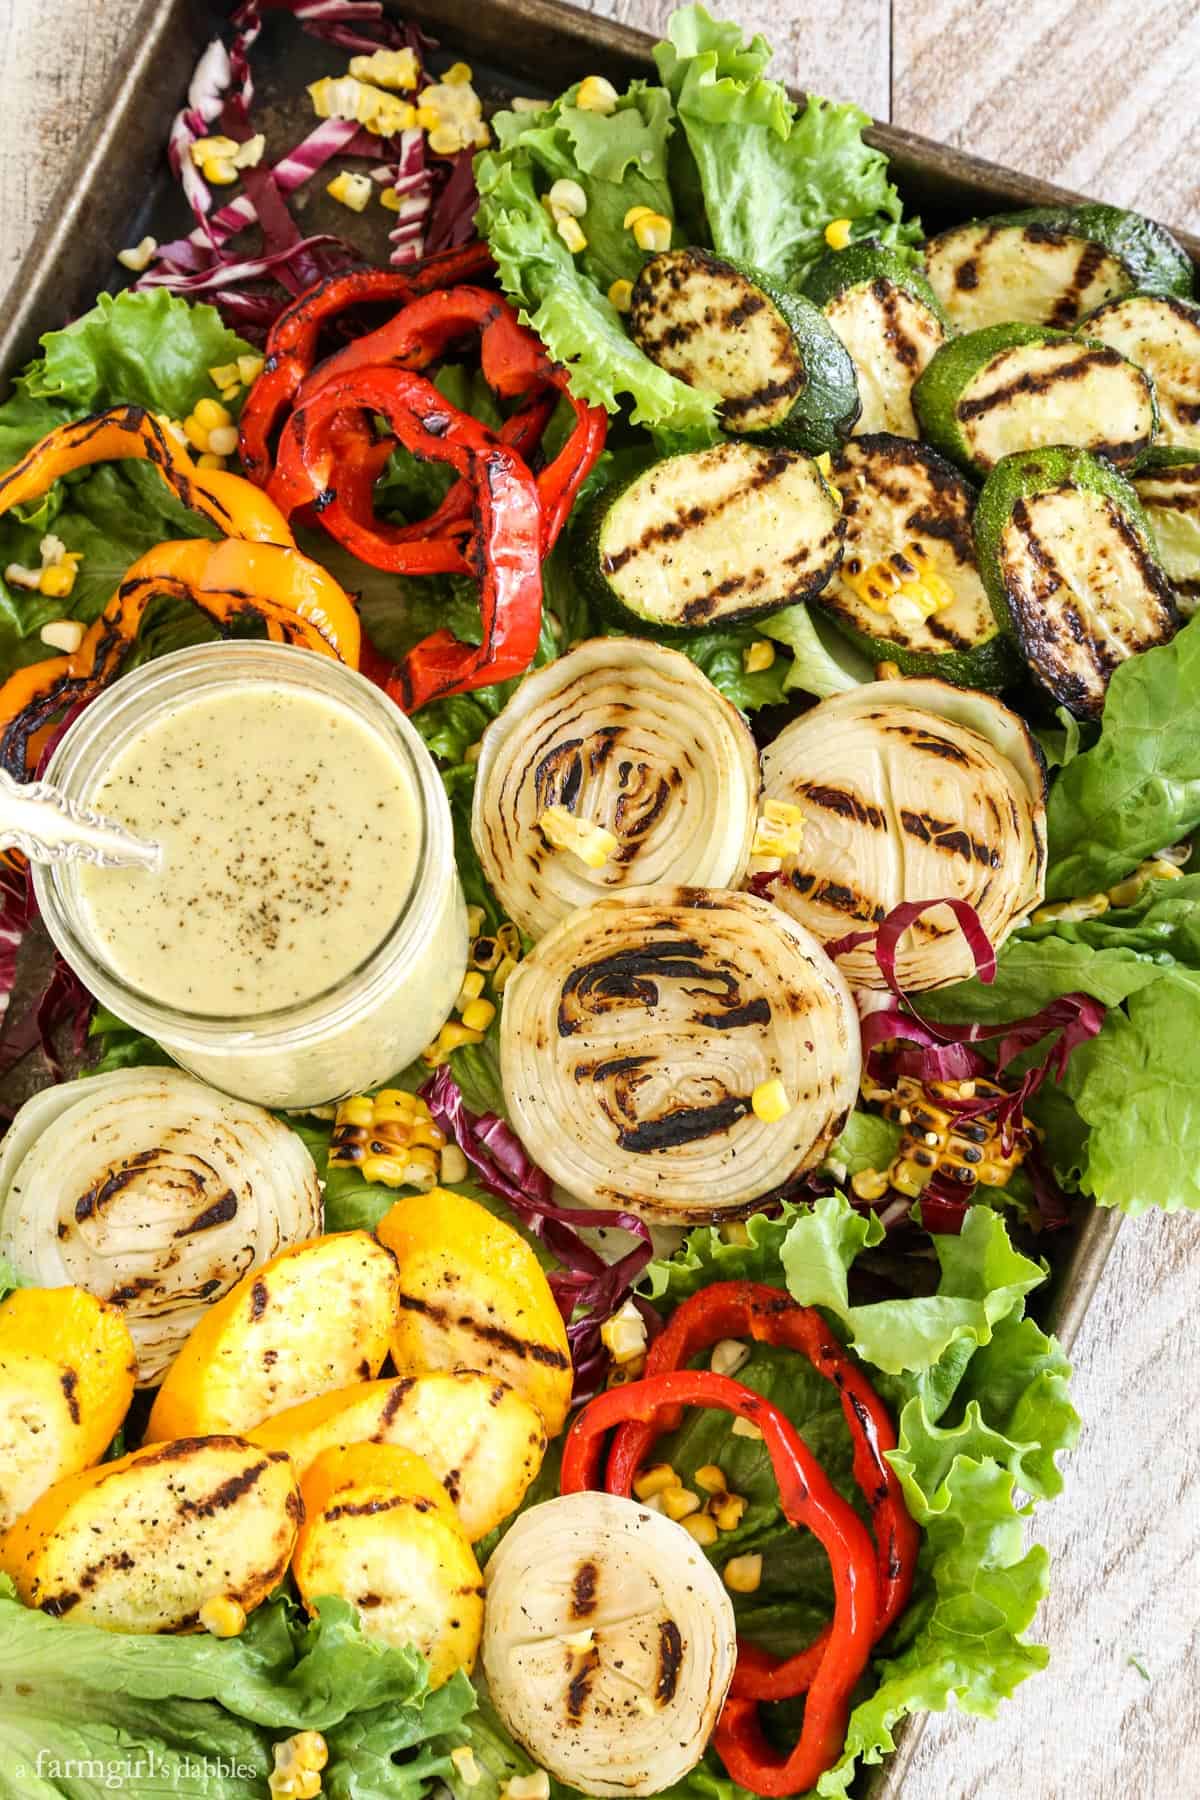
(587, 1288)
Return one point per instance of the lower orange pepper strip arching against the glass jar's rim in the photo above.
(231, 582)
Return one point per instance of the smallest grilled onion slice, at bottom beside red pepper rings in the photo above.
(609, 1644)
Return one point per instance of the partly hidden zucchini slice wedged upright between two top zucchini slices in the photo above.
(891, 323)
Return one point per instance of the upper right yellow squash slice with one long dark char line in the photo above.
(472, 1295)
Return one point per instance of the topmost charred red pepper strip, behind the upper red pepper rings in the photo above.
(294, 337)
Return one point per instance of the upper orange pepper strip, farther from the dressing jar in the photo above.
(235, 507)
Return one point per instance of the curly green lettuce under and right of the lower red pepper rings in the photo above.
(983, 1412)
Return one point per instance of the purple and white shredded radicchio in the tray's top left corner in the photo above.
(436, 199)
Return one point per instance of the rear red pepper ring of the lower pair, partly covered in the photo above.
(753, 1309)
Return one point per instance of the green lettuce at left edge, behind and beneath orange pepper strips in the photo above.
(147, 348)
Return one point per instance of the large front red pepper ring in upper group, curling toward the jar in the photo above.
(505, 546)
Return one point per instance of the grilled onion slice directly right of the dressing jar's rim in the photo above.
(629, 737)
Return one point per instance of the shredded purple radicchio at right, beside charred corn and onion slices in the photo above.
(900, 1041)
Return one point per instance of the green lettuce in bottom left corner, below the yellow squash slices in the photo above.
(201, 1714)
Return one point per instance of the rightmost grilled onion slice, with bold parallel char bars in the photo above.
(911, 791)
